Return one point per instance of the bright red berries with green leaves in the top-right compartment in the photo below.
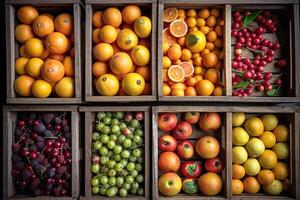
(257, 66)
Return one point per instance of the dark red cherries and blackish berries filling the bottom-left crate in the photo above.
(42, 154)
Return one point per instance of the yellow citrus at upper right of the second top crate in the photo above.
(142, 27)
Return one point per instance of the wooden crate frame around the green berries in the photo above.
(89, 114)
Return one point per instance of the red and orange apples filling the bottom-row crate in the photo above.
(189, 160)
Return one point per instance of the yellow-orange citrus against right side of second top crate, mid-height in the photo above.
(140, 55)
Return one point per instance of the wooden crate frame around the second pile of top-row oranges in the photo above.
(92, 5)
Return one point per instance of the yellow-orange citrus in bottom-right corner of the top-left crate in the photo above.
(65, 87)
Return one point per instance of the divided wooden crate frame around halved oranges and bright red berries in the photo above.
(291, 7)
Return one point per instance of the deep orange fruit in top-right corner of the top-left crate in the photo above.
(64, 23)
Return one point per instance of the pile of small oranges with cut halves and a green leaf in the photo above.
(192, 52)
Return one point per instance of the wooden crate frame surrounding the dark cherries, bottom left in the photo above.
(9, 123)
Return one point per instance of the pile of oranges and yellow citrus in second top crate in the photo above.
(121, 51)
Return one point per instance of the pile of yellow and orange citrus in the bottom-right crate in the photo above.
(260, 154)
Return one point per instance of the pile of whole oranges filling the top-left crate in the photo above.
(46, 57)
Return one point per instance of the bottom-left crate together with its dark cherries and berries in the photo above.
(15, 166)
